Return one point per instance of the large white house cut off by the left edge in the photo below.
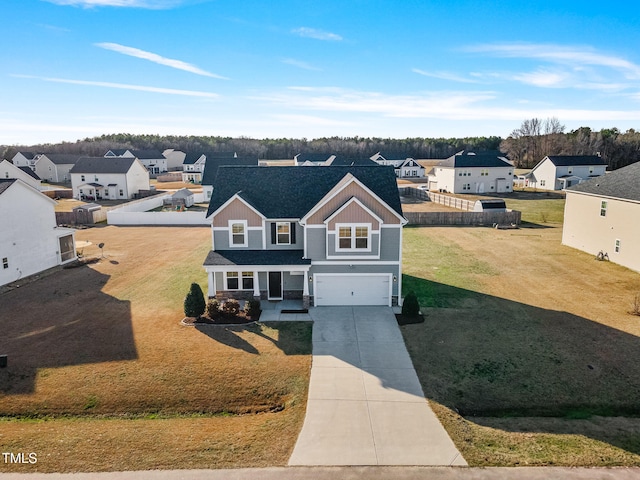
(33, 242)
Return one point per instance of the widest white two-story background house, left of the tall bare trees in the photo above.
(473, 173)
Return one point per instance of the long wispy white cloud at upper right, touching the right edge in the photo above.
(567, 55)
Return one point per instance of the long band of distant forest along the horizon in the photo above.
(526, 145)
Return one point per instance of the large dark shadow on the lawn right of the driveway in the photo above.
(485, 356)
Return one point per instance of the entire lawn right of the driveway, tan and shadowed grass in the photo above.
(528, 352)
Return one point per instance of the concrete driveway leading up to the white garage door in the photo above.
(366, 405)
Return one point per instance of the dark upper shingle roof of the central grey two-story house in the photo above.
(290, 192)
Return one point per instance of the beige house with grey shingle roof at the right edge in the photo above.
(603, 215)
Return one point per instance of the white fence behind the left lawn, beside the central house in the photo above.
(137, 213)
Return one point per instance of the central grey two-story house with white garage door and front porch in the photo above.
(328, 236)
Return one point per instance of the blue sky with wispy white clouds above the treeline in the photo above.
(78, 68)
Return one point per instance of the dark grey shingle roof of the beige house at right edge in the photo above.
(622, 183)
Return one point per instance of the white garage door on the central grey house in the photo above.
(352, 289)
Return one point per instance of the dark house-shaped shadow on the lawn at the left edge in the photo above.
(61, 320)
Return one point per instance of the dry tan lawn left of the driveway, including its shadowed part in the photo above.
(101, 375)
